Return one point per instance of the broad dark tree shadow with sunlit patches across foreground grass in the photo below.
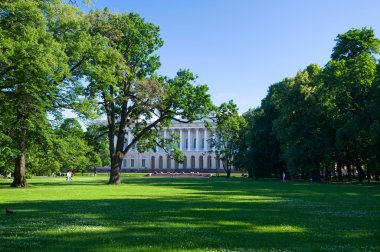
(164, 223)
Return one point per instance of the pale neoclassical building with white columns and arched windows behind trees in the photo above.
(193, 142)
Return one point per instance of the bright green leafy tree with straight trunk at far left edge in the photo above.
(42, 45)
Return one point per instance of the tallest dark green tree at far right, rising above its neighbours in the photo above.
(349, 77)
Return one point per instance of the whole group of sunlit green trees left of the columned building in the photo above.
(55, 57)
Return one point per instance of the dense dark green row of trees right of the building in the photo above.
(324, 123)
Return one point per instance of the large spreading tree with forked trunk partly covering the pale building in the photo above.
(122, 79)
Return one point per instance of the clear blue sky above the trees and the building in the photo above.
(240, 47)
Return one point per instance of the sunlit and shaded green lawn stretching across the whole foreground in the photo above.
(177, 214)
